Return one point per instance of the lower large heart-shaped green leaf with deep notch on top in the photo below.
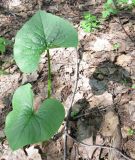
(25, 126)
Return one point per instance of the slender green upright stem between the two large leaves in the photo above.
(49, 75)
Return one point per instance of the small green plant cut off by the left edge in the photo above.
(3, 43)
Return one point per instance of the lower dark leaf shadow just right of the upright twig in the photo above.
(87, 122)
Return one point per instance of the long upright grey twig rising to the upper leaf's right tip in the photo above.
(70, 108)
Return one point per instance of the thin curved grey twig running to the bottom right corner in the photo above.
(102, 147)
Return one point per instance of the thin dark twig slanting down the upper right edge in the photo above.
(132, 40)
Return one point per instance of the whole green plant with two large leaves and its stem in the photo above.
(25, 125)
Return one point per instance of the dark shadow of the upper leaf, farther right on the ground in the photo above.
(108, 72)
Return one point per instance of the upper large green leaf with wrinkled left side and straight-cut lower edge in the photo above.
(41, 32)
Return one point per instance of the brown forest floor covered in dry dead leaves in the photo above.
(104, 96)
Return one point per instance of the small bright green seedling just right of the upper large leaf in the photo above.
(90, 22)
